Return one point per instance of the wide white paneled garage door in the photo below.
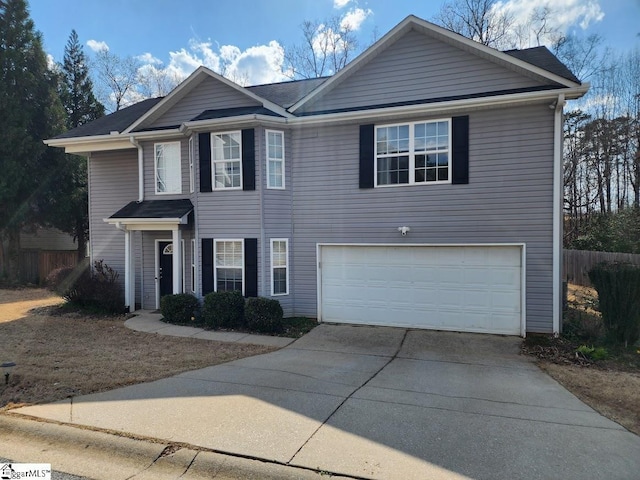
(460, 288)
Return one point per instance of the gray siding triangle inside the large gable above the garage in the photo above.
(417, 67)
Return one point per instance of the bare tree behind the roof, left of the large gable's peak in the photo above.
(326, 49)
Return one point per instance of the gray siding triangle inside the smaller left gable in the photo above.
(211, 94)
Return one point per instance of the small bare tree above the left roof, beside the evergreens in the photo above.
(117, 79)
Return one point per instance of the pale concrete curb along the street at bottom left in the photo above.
(99, 455)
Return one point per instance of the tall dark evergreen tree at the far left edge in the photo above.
(30, 111)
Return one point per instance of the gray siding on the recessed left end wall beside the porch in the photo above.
(113, 182)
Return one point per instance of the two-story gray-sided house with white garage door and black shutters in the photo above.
(421, 186)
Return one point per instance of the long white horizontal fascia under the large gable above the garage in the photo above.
(446, 107)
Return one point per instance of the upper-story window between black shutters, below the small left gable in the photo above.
(226, 156)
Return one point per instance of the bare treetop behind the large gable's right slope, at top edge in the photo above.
(478, 20)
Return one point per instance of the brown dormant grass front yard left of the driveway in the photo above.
(58, 356)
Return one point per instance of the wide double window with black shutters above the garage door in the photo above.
(413, 153)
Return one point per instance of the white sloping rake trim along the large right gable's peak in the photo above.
(414, 23)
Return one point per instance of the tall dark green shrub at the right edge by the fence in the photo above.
(618, 286)
